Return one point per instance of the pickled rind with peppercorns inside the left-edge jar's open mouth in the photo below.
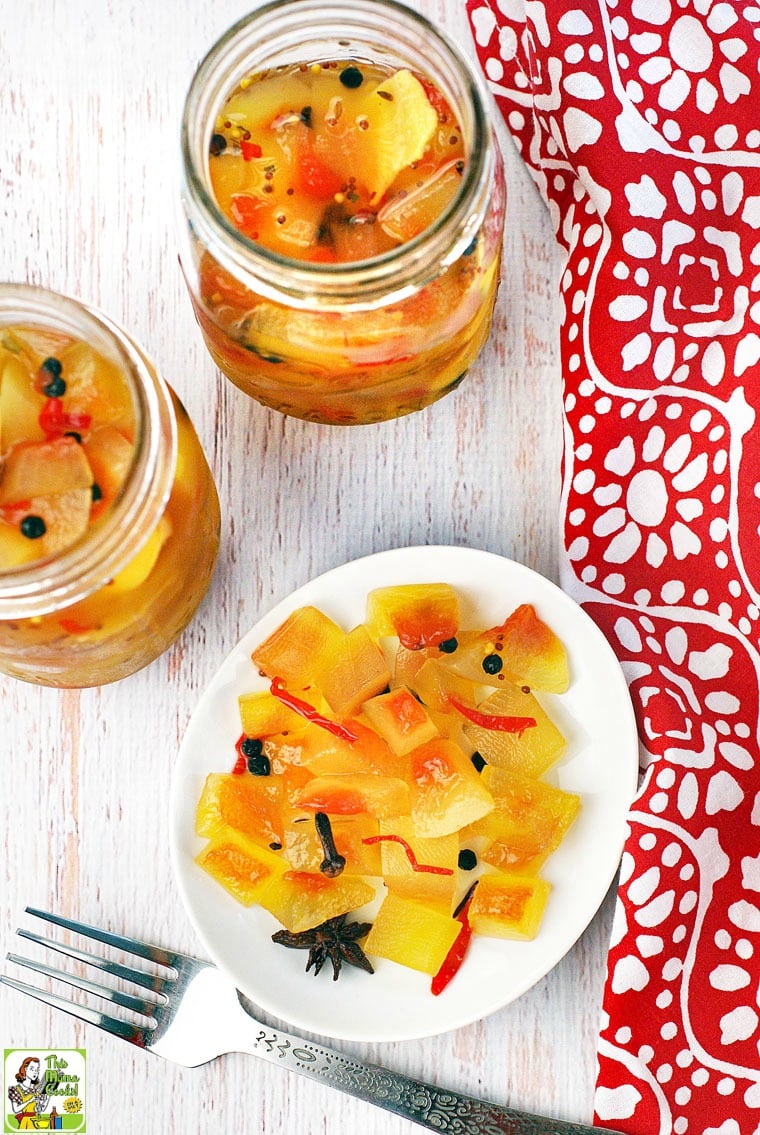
(56, 397)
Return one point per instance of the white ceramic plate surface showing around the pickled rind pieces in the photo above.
(601, 764)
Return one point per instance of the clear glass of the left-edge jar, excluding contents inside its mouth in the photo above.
(119, 596)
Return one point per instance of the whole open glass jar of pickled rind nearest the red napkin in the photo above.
(344, 212)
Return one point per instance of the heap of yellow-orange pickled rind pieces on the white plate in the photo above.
(395, 774)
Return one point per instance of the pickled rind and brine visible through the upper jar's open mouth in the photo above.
(335, 162)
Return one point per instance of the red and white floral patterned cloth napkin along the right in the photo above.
(640, 123)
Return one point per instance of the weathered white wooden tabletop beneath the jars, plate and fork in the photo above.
(91, 97)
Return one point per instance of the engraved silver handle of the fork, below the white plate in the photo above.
(435, 1108)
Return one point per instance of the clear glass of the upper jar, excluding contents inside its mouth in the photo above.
(359, 342)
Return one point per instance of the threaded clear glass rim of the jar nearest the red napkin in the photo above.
(391, 276)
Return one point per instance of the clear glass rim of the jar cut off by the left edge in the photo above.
(62, 581)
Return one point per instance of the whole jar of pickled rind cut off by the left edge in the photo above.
(109, 516)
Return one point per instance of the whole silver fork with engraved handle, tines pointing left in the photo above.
(195, 1014)
